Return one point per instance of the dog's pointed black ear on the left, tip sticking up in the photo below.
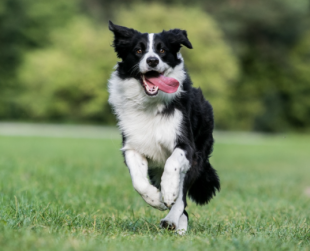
(122, 38)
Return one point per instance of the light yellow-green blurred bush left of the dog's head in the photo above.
(71, 82)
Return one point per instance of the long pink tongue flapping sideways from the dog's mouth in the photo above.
(165, 84)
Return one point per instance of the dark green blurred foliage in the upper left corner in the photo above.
(24, 25)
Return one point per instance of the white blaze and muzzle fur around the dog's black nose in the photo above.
(150, 52)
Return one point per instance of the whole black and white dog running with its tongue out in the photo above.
(166, 124)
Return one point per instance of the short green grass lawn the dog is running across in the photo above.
(76, 194)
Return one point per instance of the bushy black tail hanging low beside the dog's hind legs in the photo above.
(205, 186)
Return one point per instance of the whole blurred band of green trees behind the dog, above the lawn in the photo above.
(250, 58)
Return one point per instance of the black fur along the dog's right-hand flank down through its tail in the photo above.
(201, 180)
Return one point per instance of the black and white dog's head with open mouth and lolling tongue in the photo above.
(153, 59)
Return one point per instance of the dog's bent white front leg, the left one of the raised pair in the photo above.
(138, 165)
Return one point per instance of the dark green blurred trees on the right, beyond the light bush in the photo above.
(262, 34)
